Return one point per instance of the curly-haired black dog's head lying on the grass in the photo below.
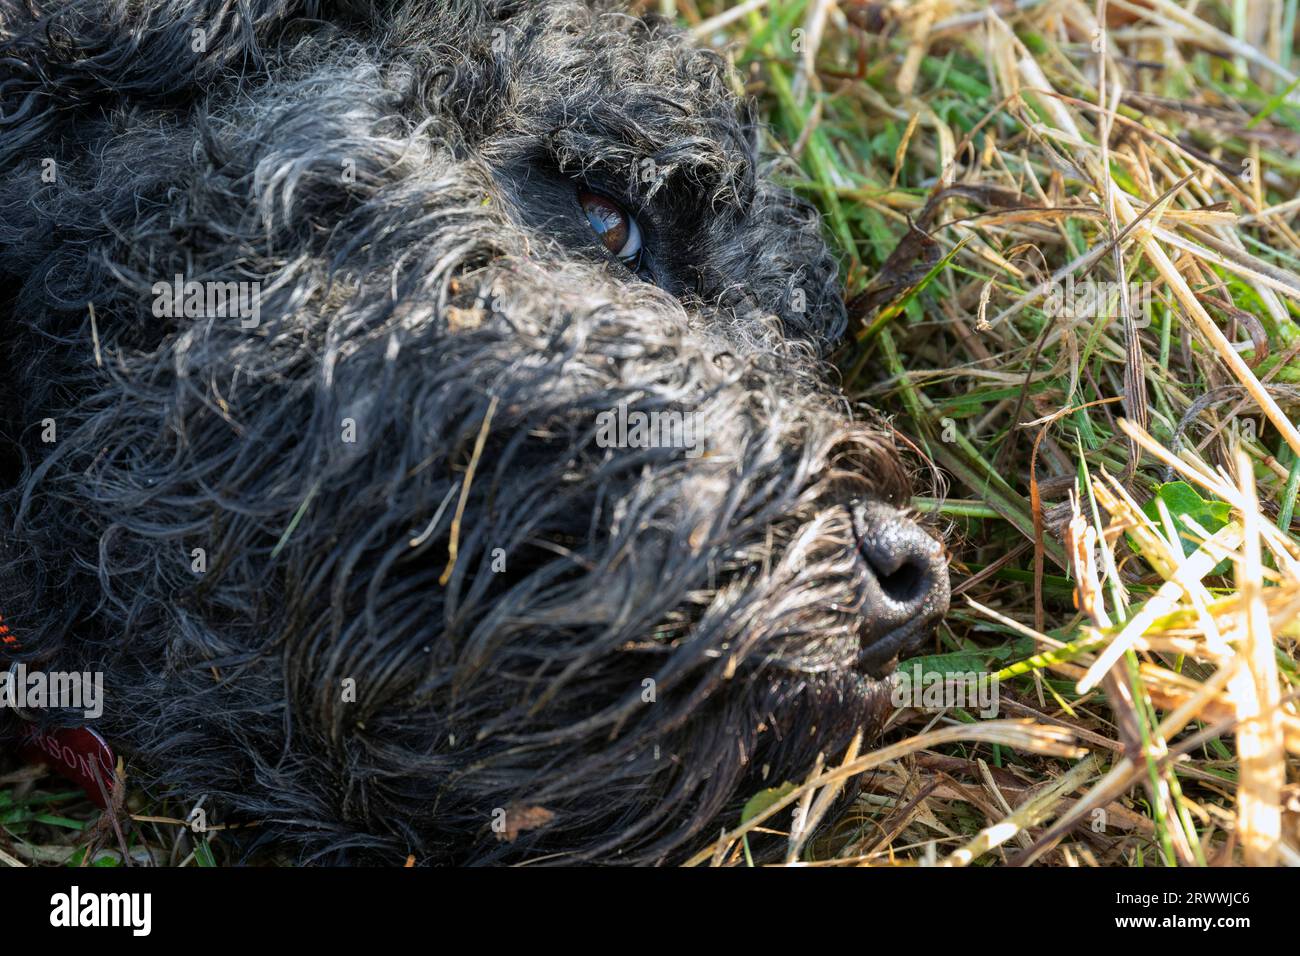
(419, 414)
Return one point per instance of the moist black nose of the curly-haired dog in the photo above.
(904, 583)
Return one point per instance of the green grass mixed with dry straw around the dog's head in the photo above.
(1117, 482)
